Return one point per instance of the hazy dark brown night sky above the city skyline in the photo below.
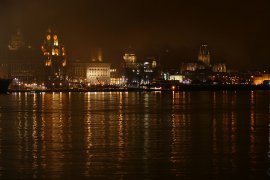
(237, 32)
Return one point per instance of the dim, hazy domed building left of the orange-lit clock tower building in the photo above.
(21, 62)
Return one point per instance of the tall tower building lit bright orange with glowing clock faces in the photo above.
(55, 62)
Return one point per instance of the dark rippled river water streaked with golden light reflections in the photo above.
(135, 135)
